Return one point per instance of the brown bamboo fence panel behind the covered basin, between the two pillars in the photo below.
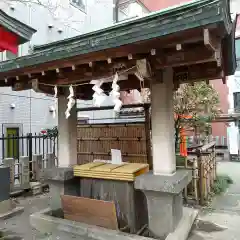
(96, 141)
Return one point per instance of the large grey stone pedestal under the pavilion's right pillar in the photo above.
(164, 199)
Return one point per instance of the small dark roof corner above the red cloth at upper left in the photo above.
(24, 31)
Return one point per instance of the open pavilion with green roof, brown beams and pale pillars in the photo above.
(188, 43)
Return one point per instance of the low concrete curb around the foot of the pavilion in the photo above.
(44, 222)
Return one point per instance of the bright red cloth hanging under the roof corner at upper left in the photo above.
(8, 41)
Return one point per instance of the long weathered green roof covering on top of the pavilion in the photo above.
(195, 14)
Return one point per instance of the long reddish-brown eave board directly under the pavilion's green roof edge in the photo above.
(188, 36)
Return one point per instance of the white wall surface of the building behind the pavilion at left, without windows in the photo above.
(32, 109)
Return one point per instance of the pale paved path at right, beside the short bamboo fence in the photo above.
(222, 220)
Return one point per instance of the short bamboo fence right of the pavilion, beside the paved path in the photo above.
(202, 161)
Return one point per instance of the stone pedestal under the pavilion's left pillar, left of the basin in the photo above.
(61, 182)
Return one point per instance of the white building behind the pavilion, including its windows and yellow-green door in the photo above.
(27, 111)
